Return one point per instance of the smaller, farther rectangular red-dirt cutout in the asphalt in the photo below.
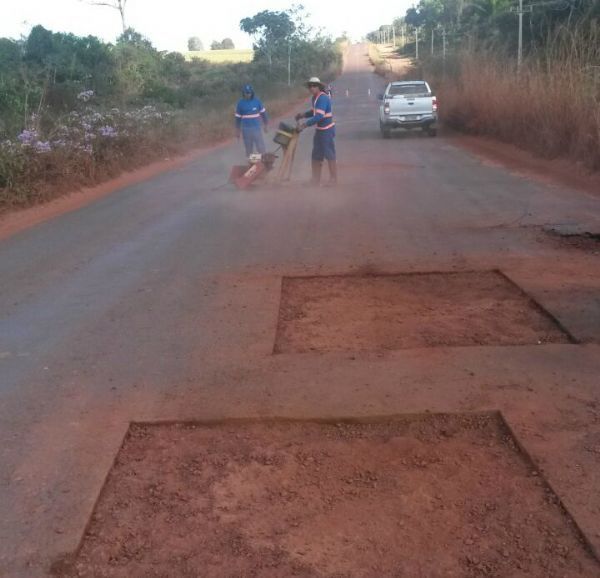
(385, 312)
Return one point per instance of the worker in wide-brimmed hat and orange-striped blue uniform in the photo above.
(321, 117)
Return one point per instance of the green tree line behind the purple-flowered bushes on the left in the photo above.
(42, 74)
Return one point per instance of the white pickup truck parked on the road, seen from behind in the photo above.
(407, 104)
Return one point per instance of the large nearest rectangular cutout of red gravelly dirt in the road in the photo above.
(433, 495)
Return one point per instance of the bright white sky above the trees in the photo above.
(170, 23)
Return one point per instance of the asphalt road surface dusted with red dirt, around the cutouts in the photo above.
(161, 302)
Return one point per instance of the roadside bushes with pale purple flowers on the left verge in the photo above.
(83, 146)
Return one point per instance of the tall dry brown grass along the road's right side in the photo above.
(550, 107)
